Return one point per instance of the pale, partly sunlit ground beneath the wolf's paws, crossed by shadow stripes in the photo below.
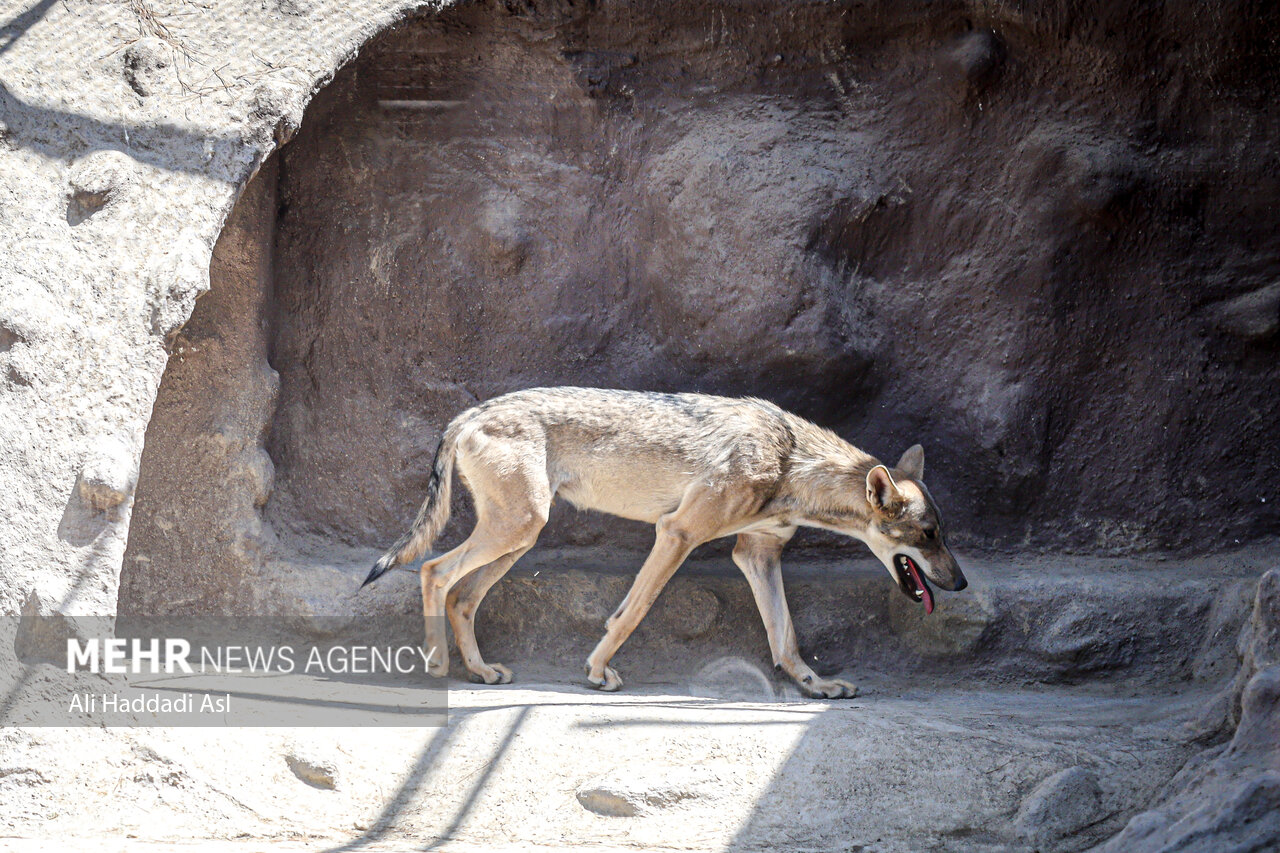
(660, 767)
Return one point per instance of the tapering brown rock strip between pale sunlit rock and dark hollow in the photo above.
(198, 541)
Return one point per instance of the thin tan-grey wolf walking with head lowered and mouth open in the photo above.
(697, 468)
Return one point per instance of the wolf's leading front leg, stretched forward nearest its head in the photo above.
(760, 556)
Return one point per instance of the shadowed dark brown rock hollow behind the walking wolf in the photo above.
(888, 223)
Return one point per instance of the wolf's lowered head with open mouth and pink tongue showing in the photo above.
(906, 530)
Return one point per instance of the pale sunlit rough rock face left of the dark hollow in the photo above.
(124, 148)
